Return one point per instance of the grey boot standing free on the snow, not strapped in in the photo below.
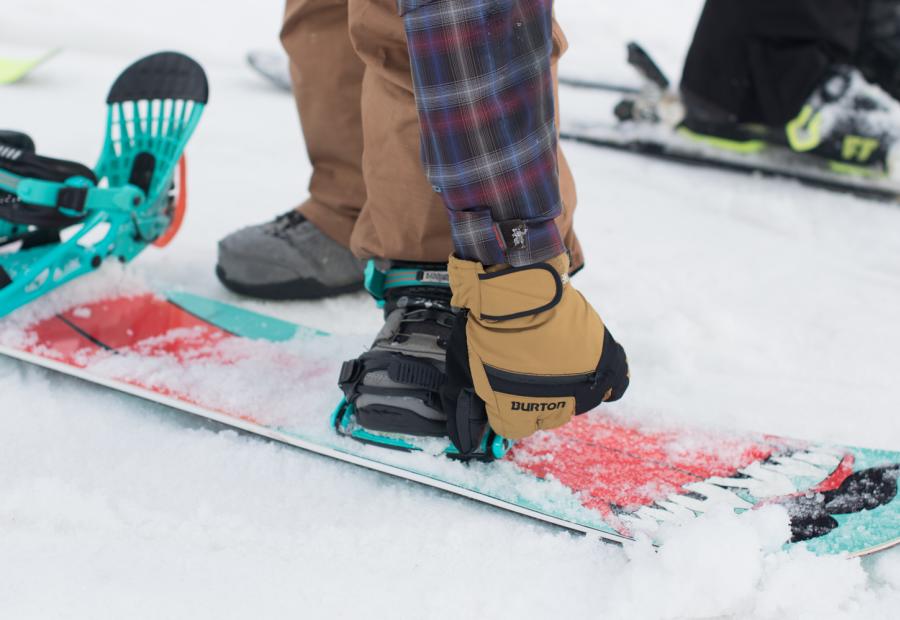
(287, 258)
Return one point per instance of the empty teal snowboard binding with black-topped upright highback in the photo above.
(60, 220)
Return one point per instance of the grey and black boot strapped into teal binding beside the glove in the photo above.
(392, 391)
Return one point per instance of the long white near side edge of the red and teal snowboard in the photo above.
(309, 446)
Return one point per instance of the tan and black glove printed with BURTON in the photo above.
(527, 352)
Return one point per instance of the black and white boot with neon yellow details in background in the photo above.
(851, 125)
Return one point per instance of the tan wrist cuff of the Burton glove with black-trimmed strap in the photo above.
(508, 293)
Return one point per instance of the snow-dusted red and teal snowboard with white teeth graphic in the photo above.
(601, 475)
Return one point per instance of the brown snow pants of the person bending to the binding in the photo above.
(352, 82)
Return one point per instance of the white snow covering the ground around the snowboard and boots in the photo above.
(743, 303)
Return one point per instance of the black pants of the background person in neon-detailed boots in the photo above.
(757, 61)
